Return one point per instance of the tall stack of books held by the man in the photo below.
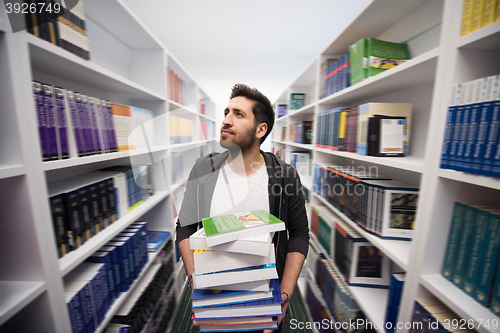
(236, 285)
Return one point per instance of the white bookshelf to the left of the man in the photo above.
(128, 66)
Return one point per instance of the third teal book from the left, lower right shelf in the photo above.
(476, 253)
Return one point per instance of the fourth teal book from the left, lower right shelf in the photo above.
(489, 258)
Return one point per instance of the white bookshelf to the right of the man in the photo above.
(439, 59)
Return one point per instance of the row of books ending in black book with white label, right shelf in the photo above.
(373, 129)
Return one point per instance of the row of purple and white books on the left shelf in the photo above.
(72, 122)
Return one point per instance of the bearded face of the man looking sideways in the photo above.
(238, 126)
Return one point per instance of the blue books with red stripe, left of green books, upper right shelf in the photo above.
(335, 74)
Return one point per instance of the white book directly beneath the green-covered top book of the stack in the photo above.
(258, 245)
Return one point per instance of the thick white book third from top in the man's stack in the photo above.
(208, 261)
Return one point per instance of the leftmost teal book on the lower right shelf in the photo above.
(454, 238)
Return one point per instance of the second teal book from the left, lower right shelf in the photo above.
(465, 246)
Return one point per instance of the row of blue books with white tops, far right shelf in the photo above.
(471, 141)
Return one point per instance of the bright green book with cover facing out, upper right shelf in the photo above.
(382, 55)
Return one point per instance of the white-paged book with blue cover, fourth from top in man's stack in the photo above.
(240, 275)
